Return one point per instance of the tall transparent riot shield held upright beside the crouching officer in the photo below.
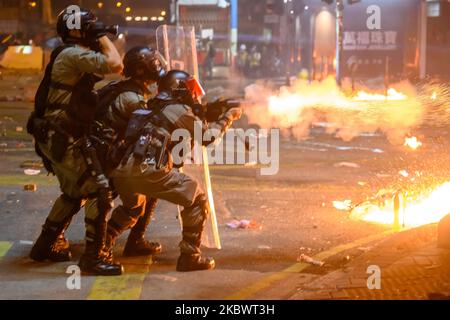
(178, 46)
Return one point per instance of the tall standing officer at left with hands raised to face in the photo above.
(64, 107)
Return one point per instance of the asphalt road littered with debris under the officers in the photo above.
(294, 209)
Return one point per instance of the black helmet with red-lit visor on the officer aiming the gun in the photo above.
(181, 86)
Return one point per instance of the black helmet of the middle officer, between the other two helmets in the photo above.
(144, 63)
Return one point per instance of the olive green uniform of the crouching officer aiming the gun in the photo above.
(135, 182)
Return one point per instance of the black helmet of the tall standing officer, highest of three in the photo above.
(68, 19)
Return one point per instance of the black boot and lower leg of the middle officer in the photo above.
(136, 245)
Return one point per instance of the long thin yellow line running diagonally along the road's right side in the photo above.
(250, 290)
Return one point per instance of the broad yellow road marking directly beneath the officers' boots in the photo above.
(125, 287)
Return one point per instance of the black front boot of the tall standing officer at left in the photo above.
(96, 262)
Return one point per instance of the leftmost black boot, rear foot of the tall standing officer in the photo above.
(47, 247)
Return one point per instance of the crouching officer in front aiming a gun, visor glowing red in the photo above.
(147, 168)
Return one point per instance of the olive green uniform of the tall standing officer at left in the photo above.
(69, 67)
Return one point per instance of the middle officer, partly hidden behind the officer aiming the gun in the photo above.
(143, 67)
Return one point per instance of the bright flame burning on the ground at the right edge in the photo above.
(408, 213)
